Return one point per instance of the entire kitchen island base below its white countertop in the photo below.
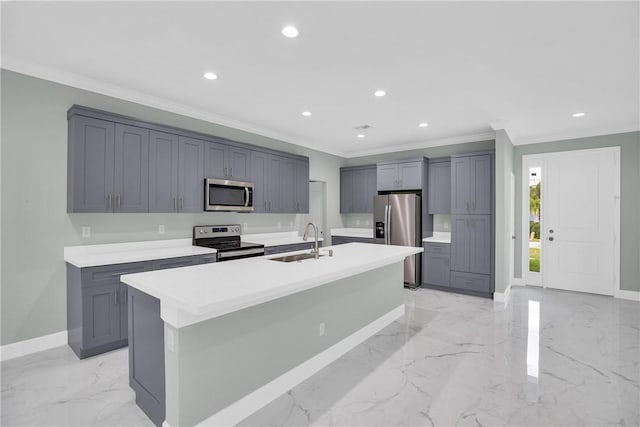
(221, 370)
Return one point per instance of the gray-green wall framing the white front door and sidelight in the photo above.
(629, 144)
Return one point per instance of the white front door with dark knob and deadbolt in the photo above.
(579, 207)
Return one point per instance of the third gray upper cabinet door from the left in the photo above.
(163, 172)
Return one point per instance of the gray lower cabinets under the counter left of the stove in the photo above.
(97, 302)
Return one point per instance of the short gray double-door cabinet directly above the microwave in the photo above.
(227, 162)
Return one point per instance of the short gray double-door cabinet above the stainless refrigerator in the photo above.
(400, 175)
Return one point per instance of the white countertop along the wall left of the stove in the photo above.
(120, 253)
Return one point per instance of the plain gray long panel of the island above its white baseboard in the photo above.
(218, 361)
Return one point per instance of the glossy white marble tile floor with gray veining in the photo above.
(546, 358)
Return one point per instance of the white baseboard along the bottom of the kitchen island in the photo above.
(242, 408)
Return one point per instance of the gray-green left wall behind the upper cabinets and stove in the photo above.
(35, 224)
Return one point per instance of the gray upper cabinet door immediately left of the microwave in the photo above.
(190, 175)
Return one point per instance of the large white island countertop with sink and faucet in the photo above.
(192, 294)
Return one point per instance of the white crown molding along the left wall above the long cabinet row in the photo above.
(85, 83)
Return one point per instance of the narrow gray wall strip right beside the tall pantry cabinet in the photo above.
(503, 241)
